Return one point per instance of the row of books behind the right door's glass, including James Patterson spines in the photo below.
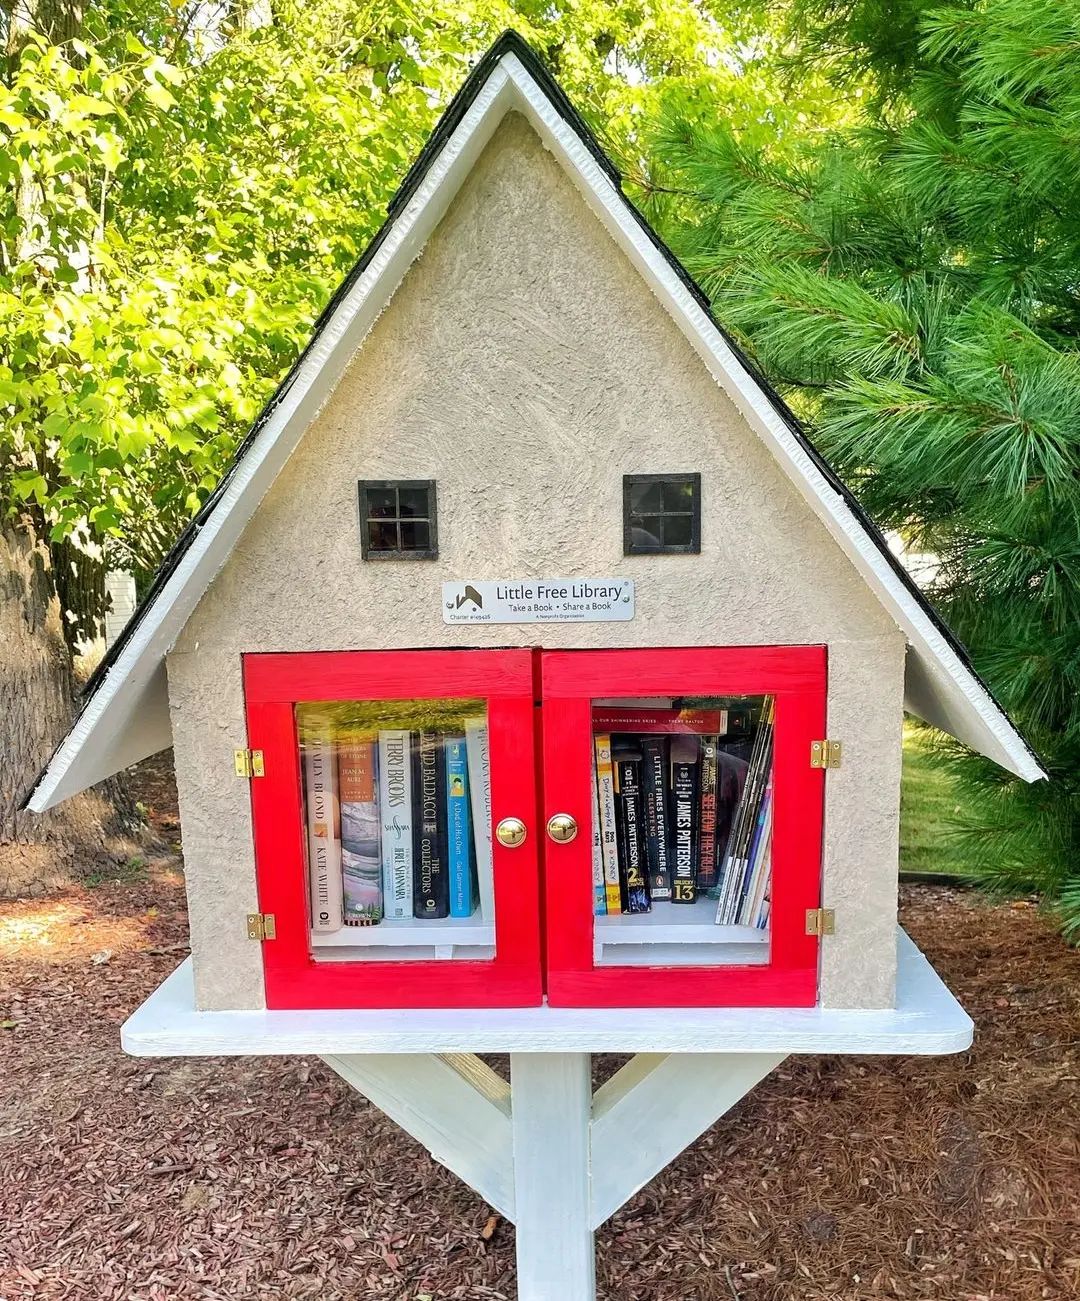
(684, 802)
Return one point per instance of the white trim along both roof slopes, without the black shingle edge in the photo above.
(127, 718)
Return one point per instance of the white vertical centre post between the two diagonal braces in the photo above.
(552, 1109)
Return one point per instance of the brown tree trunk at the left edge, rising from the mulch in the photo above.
(41, 852)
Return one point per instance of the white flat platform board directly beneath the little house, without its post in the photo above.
(926, 1021)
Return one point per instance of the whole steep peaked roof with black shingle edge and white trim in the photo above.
(124, 715)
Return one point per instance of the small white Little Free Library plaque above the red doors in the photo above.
(539, 600)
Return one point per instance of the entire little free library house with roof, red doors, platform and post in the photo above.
(534, 688)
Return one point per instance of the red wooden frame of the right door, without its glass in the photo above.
(572, 680)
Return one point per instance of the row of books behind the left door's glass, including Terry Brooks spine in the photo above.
(392, 825)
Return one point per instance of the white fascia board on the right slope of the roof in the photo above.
(943, 691)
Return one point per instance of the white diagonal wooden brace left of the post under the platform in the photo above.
(453, 1104)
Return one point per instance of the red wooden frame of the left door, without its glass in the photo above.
(274, 685)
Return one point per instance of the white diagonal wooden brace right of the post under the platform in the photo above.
(655, 1108)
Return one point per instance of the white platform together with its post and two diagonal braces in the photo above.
(545, 1151)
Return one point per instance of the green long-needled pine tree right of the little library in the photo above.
(911, 283)
